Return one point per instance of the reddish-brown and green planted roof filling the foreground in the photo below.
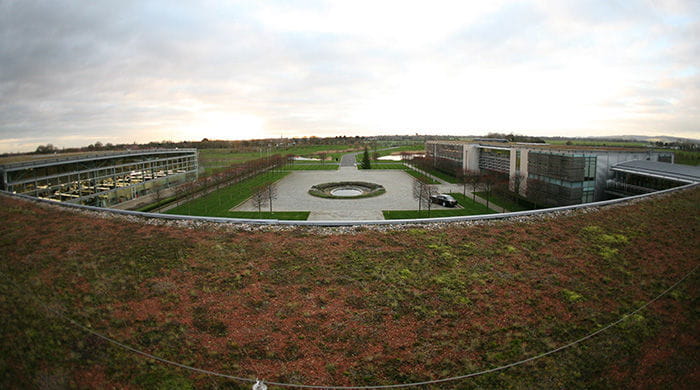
(352, 306)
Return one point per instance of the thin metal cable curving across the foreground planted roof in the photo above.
(413, 384)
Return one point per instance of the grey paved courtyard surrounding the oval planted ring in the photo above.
(293, 194)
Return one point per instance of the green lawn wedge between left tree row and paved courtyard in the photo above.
(218, 203)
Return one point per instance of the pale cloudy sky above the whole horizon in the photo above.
(76, 72)
